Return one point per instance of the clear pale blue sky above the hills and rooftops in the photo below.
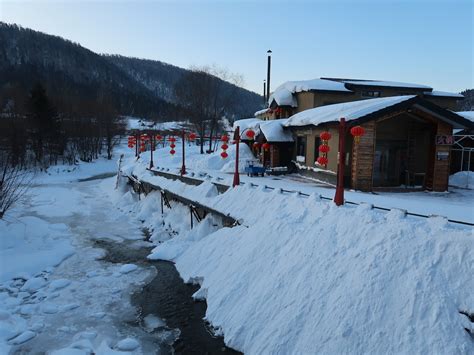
(419, 41)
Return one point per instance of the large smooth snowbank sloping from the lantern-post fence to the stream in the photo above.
(326, 279)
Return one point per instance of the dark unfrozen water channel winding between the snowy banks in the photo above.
(168, 297)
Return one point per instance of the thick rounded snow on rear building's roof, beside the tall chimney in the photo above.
(283, 95)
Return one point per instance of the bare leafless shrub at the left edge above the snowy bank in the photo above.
(14, 182)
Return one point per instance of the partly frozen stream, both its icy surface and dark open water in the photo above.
(113, 294)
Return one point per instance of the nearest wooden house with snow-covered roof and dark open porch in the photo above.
(407, 142)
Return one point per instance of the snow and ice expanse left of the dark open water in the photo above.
(56, 295)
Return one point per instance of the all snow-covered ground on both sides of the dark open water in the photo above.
(299, 275)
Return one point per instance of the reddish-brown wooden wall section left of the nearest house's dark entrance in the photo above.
(363, 159)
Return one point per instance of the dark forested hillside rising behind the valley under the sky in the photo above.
(75, 76)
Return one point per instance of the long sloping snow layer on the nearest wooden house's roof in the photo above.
(349, 110)
